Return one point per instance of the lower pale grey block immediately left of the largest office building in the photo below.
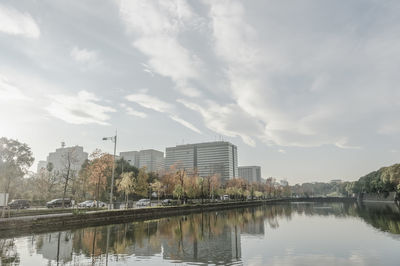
(153, 160)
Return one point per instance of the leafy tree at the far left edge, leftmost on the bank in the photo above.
(15, 160)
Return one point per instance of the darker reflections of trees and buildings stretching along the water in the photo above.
(210, 237)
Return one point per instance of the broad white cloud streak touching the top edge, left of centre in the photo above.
(156, 26)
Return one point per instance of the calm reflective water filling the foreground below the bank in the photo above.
(287, 234)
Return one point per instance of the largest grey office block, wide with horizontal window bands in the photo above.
(209, 158)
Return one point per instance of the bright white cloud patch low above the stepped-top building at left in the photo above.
(81, 109)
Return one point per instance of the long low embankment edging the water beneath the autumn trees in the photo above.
(62, 221)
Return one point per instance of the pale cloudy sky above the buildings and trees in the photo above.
(308, 90)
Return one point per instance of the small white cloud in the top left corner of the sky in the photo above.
(15, 22)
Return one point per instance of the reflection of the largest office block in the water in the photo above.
(202, 238)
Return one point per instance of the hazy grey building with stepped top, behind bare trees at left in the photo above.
(59, 159)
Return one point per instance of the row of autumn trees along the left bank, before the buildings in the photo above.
(93, 180)
